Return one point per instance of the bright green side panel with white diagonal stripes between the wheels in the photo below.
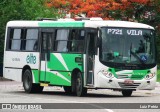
(57, 70)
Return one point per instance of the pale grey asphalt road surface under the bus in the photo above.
(13, 92)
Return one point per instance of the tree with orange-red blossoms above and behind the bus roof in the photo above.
(107, 9)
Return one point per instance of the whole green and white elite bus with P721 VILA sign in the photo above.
(81, 55)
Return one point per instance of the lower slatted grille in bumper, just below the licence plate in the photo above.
(129, 86)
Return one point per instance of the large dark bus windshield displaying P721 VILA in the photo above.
(127, 46)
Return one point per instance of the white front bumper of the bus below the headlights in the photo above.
(114, 83)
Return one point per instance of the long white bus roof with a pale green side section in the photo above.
(85, 23)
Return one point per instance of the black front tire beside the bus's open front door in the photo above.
(80, 90)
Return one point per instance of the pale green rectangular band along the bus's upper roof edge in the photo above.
(61, 24)
